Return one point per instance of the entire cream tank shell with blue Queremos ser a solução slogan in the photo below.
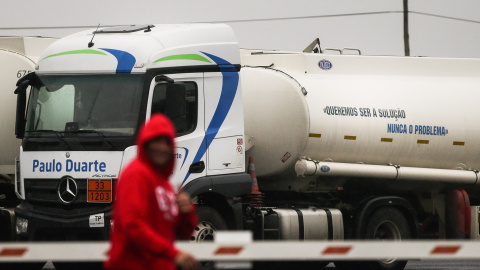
(410, 112)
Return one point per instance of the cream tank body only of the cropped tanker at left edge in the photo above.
(17, 58)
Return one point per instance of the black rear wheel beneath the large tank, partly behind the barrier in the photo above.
(387, 223)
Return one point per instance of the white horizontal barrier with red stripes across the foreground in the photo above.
(239, 247)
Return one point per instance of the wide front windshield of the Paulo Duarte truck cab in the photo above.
(106, 104)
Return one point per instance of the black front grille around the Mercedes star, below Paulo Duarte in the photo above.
(42, 194)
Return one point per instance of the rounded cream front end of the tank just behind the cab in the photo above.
(276, 119)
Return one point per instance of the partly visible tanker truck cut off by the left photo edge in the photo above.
(17, 58)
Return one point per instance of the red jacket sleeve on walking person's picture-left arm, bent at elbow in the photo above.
(131, 215)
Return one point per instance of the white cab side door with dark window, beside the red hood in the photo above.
(182, 101)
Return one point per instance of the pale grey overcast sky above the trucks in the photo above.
(380, 33)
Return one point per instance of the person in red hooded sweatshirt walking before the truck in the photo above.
(148, 216)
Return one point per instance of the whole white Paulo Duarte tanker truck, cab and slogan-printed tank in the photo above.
(344, 146)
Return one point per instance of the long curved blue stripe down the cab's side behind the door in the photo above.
(229, 89)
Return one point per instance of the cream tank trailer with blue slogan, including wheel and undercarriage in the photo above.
(387, 140)
